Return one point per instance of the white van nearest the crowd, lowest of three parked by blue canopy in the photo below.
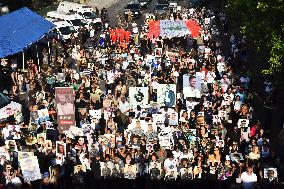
(62, 31)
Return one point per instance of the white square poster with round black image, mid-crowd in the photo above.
(138, 96)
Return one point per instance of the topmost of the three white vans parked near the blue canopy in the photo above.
(86, 11)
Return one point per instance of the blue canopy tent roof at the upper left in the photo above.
(20, 29)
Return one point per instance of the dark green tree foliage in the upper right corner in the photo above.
(263, 22)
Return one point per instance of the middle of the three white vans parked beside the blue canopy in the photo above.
(75, 20)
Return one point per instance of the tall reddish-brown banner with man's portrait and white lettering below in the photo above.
(65, 108)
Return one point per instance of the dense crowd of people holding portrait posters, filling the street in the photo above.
(153, 112)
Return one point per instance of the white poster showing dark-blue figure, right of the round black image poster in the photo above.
(166, 94)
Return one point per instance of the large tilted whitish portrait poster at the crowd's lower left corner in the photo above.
(30, 169)
